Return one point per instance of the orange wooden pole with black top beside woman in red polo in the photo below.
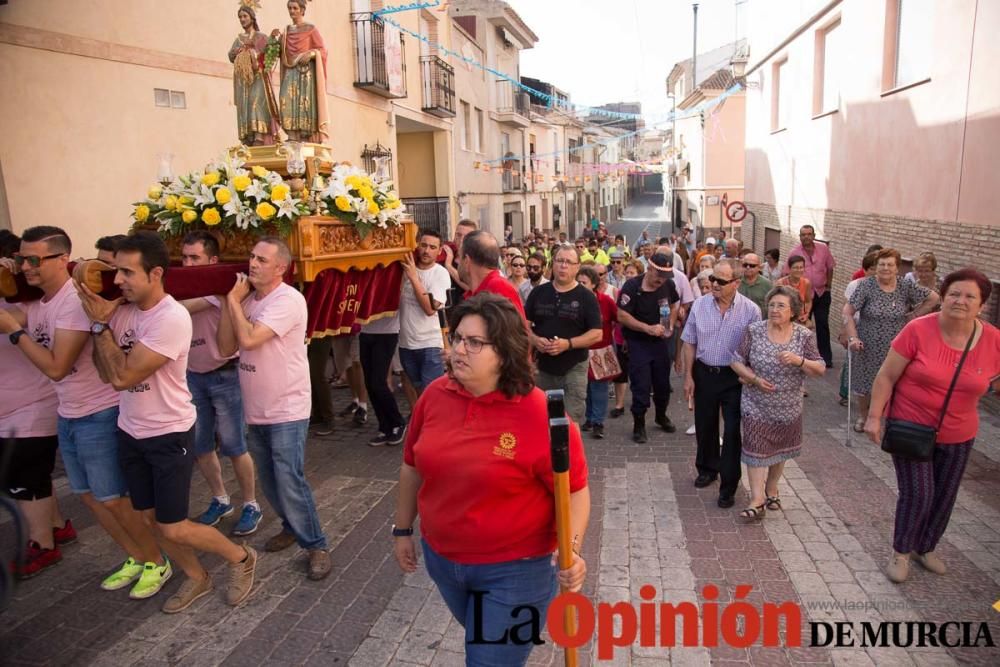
(559, 439)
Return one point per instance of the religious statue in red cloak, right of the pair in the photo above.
(303, 78)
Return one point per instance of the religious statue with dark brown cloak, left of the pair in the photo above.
(256, 109)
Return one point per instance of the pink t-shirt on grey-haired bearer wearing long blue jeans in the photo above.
(274, 377)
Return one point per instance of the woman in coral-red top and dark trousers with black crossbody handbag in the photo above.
(929, 386)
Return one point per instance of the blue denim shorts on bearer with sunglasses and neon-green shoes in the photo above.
(89, 447)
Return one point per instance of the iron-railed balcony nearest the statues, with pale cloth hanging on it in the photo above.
(377, 69)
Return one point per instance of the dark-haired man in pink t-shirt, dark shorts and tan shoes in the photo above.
(141, 350)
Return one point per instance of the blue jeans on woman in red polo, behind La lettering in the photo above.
(500, 587)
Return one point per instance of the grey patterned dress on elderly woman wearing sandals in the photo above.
(772, 421)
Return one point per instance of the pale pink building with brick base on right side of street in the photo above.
(876, 123)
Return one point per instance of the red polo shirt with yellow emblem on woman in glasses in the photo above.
(486, 467)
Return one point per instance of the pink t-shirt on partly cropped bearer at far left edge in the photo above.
(28, 401)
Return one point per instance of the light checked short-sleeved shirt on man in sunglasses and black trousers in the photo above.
(714, 335)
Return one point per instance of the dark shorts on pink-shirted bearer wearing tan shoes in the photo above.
(157, 471)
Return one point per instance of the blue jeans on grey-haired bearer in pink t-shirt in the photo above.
(278, 451)
